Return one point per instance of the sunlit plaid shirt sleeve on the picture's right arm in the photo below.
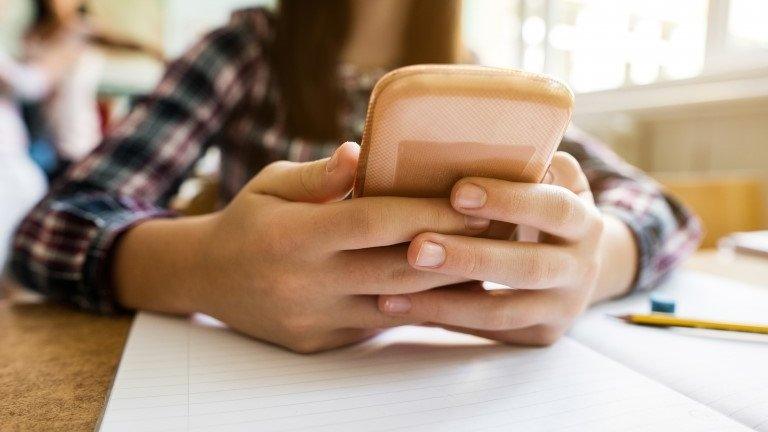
(665, 231)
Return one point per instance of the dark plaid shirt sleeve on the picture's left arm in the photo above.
(62, 248)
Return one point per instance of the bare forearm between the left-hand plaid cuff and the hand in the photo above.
(156, 265)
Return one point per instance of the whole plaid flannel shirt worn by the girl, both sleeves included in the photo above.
(223, 92)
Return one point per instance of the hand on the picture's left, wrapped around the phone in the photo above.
(289, 261)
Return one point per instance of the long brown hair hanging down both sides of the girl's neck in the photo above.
(310, 37)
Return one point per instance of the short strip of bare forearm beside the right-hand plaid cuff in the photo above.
(619, 260)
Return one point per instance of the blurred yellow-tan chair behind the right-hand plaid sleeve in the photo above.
(725, 202)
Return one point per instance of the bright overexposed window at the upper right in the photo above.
(605, 44)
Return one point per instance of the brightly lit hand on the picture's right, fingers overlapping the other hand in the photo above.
(550, 282)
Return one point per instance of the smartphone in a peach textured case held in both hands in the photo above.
(428, 126)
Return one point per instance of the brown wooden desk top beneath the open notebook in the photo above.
(56, 364)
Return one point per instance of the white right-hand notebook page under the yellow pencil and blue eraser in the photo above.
(727, 371)
